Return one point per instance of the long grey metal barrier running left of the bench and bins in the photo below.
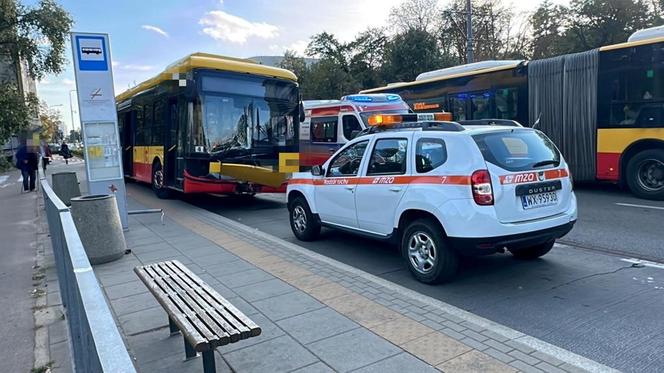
(95, 341)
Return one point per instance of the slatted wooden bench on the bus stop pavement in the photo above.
(205, 319)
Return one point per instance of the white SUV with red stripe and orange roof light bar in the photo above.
(441, 190)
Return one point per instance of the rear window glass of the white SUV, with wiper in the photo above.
(518, 150)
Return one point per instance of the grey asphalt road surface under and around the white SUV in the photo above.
(586, 300)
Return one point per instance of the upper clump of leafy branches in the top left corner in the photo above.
(35, 35)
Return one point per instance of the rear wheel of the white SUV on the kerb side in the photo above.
(423, 242)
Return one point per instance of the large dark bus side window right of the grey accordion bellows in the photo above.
(632, 86)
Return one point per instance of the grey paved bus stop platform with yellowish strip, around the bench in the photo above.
(317, 315)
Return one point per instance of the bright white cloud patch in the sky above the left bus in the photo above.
(226, 27)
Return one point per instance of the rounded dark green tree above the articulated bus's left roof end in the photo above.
(411, 53)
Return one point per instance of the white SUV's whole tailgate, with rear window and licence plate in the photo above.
(528, 174)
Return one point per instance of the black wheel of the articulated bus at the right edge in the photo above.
(645, 174)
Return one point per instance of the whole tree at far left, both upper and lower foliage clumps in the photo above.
(33, 37)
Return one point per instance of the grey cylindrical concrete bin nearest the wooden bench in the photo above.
(98, 223)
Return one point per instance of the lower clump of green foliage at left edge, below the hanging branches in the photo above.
(16, 110)
